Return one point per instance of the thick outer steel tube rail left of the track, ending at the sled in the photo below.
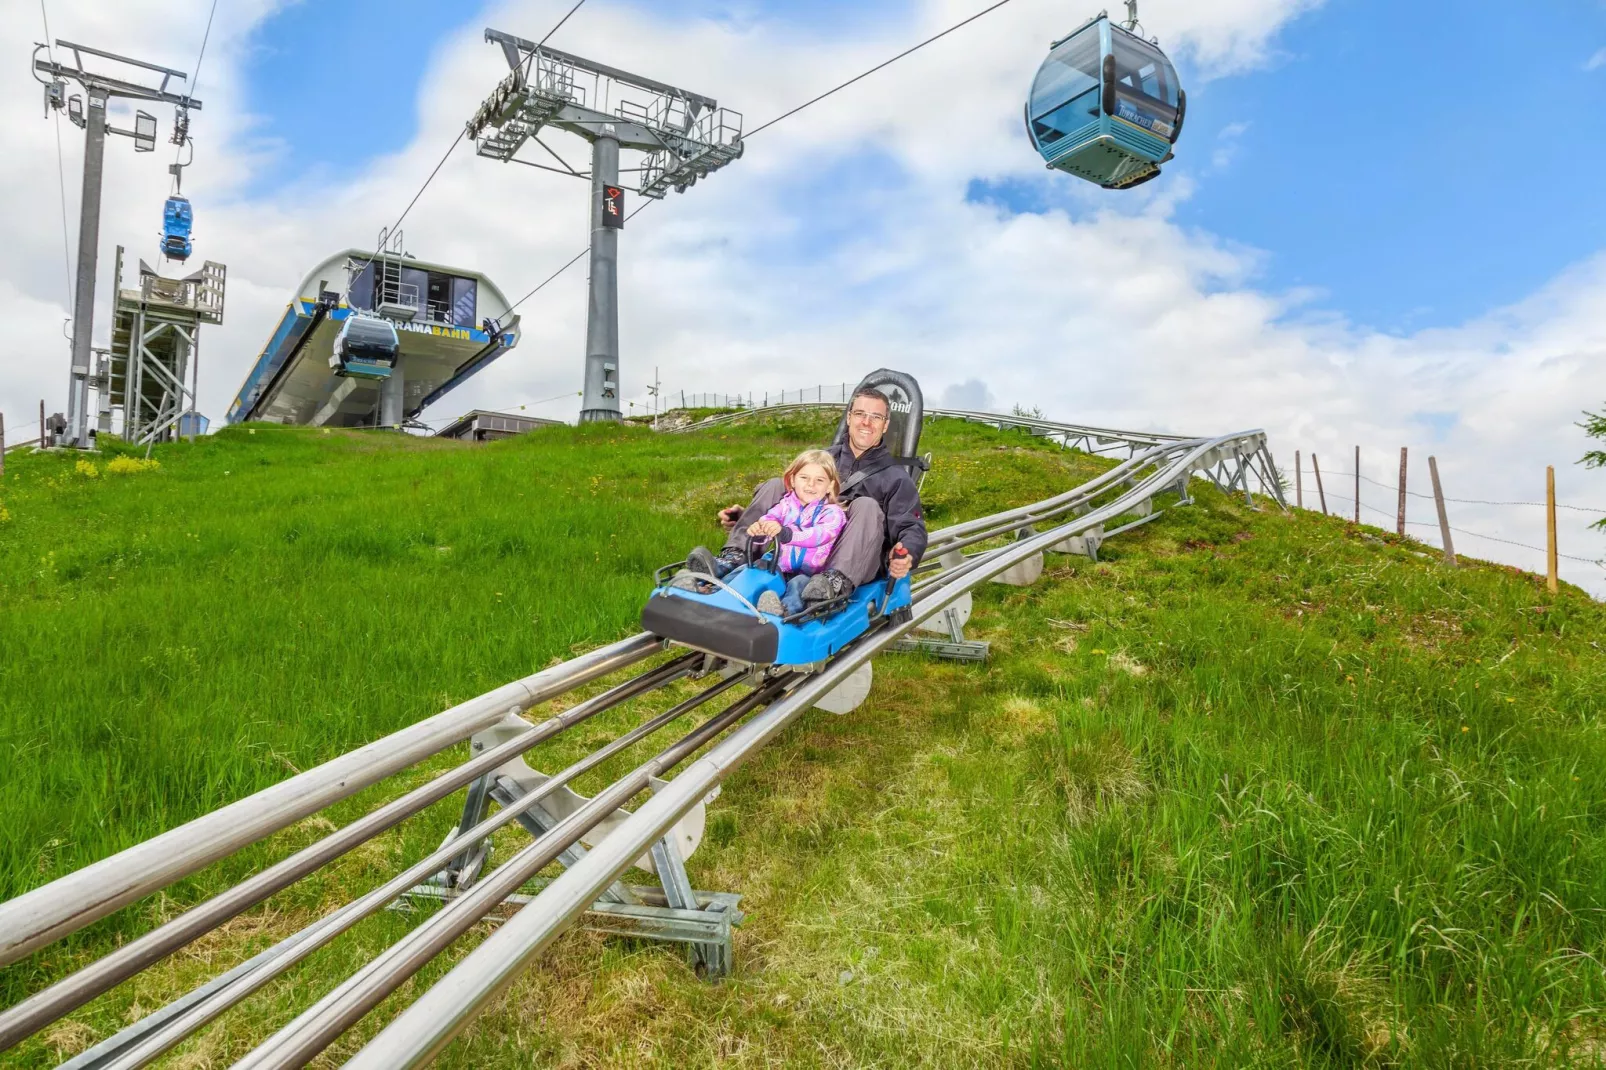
(70, 904)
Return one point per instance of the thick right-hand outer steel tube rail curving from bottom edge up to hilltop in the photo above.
(430, 1024)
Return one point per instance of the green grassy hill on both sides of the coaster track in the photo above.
(1252, 791)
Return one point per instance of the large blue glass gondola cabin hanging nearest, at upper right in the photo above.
(1106, 107)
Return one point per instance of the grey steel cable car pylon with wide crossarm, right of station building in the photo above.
(683, 137)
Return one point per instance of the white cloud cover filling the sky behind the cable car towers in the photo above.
(844, 242)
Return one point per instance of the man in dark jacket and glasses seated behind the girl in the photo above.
(882, 504)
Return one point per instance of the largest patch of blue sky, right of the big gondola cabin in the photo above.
(1421, 163)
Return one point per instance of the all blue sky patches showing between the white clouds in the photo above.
(1414, 165)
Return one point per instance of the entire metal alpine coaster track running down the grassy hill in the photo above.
(1159, 465)
